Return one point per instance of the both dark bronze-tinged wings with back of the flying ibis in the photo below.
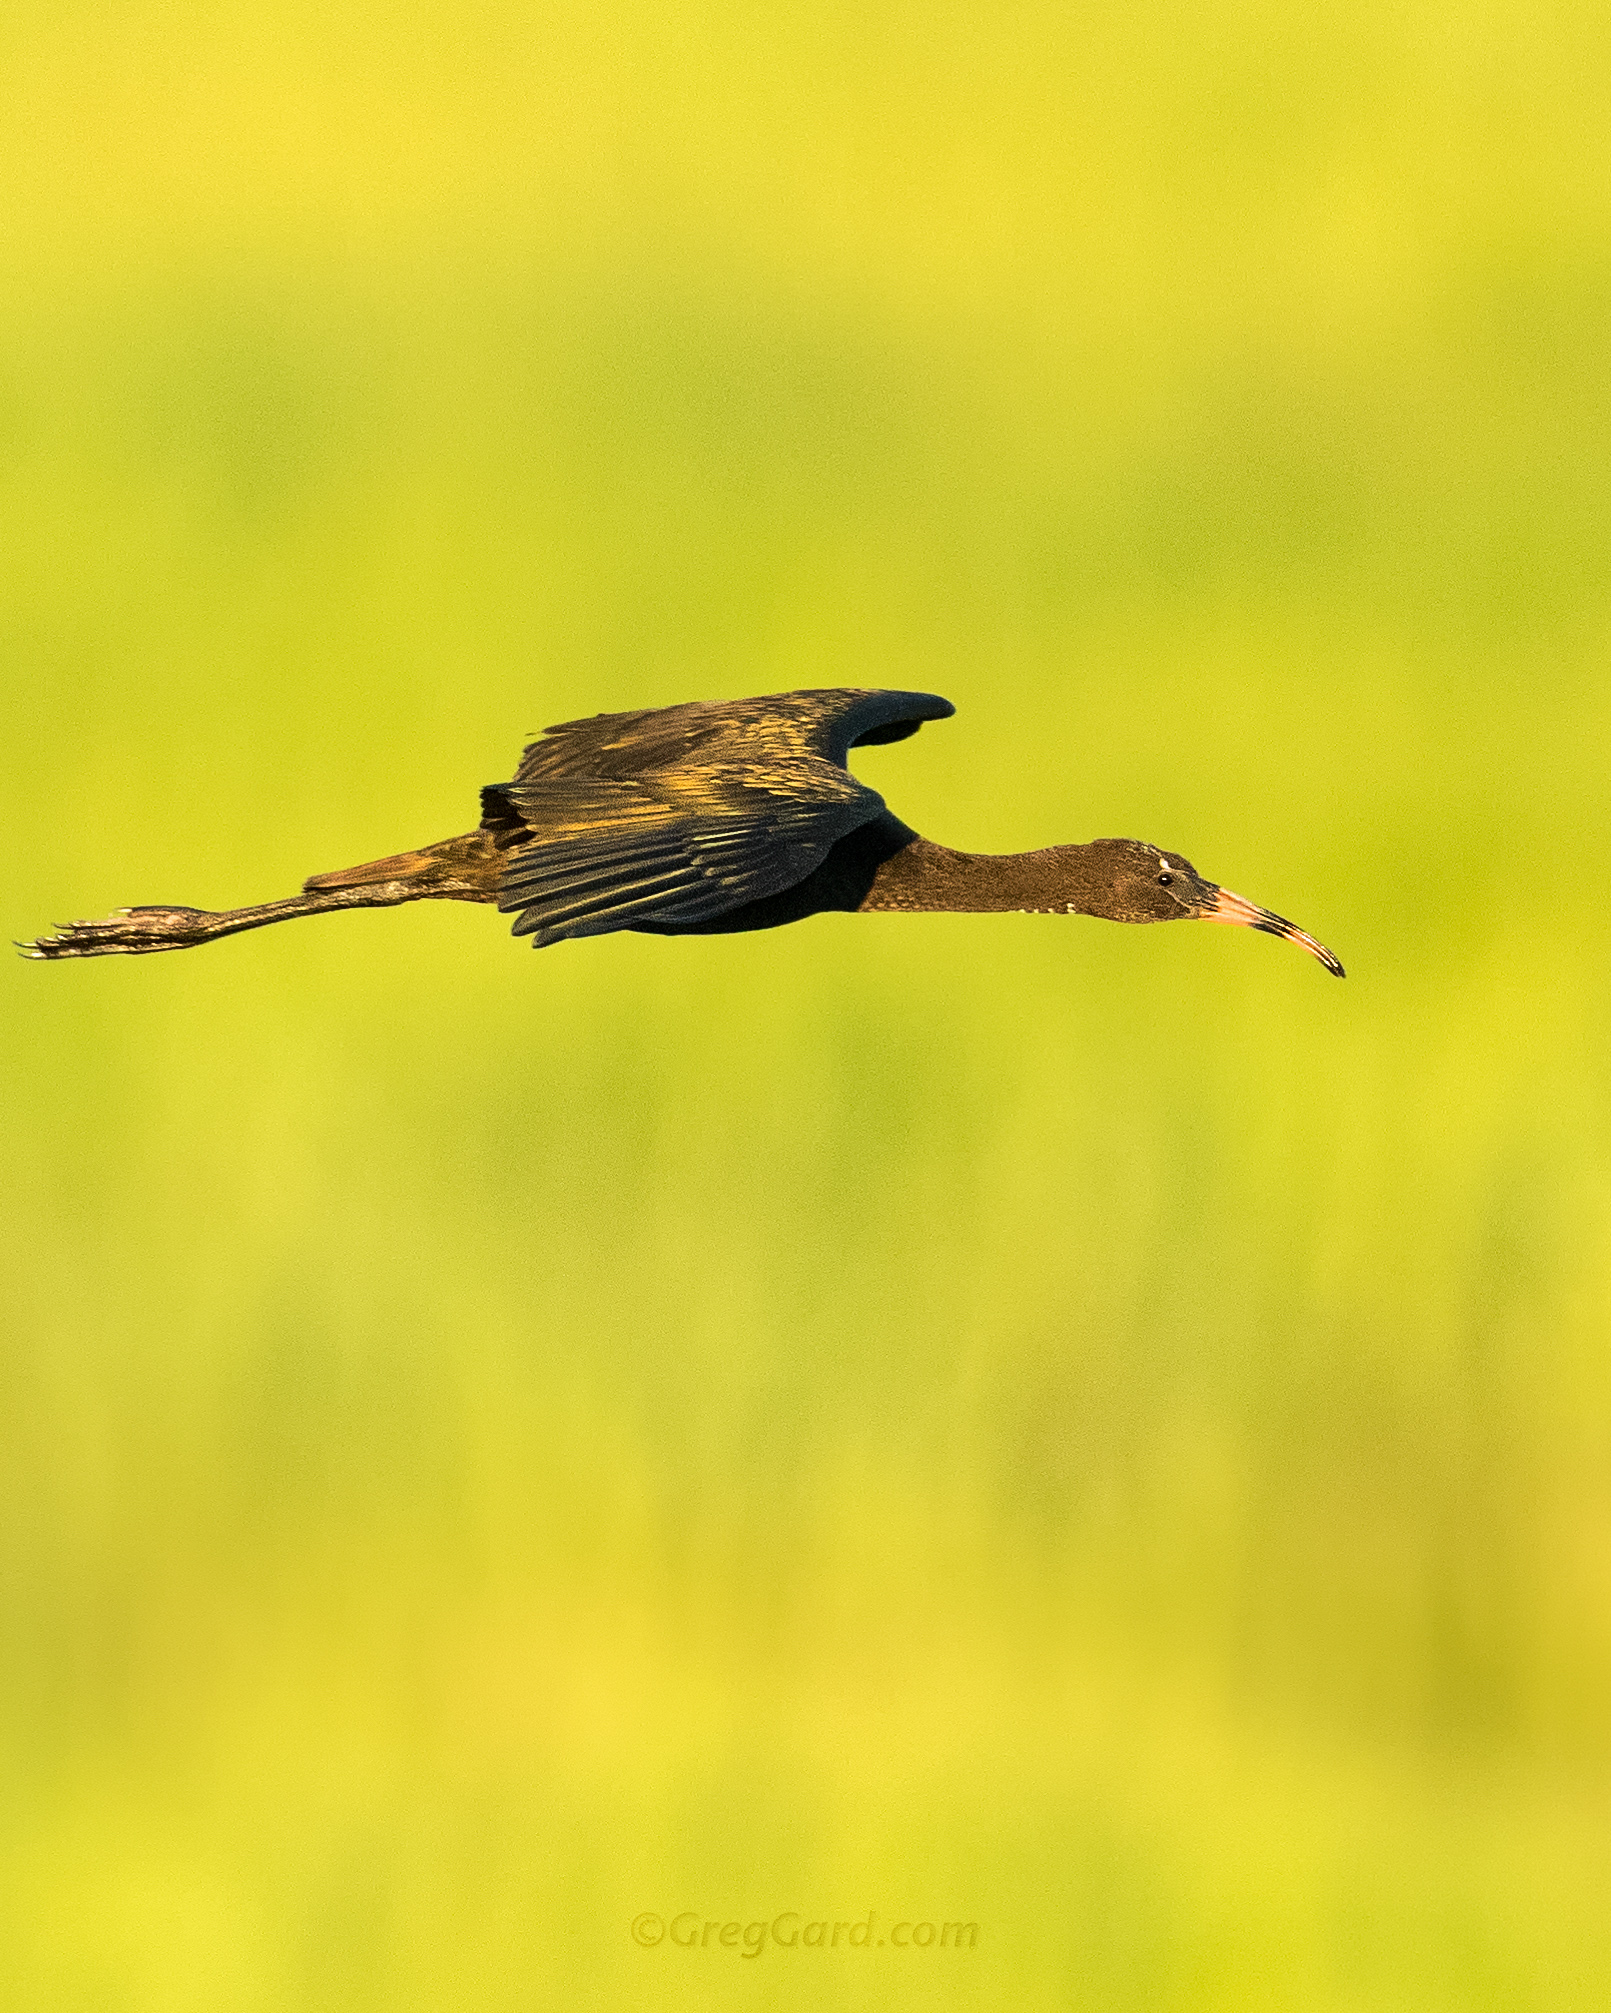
(688, 812)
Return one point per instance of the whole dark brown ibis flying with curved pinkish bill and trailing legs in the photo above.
(732, 814)
